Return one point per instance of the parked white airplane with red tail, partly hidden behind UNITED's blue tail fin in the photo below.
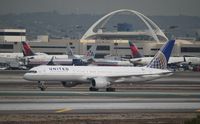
(139, 59)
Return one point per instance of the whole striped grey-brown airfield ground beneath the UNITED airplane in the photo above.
(162, 98)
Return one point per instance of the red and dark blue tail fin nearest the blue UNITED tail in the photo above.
(134, 50)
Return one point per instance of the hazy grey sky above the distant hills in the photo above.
(147, 7)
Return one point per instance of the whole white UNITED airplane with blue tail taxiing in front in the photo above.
(103, 76)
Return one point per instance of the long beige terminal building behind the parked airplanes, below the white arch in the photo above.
(104, 47)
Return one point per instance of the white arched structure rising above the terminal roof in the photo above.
(154, 31)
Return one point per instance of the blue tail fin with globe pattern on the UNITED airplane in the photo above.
(161, 58)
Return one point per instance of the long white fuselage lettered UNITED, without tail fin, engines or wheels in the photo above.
(84, 73)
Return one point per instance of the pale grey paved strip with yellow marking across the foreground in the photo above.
(99, 105)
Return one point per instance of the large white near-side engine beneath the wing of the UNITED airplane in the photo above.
(99, 82)
